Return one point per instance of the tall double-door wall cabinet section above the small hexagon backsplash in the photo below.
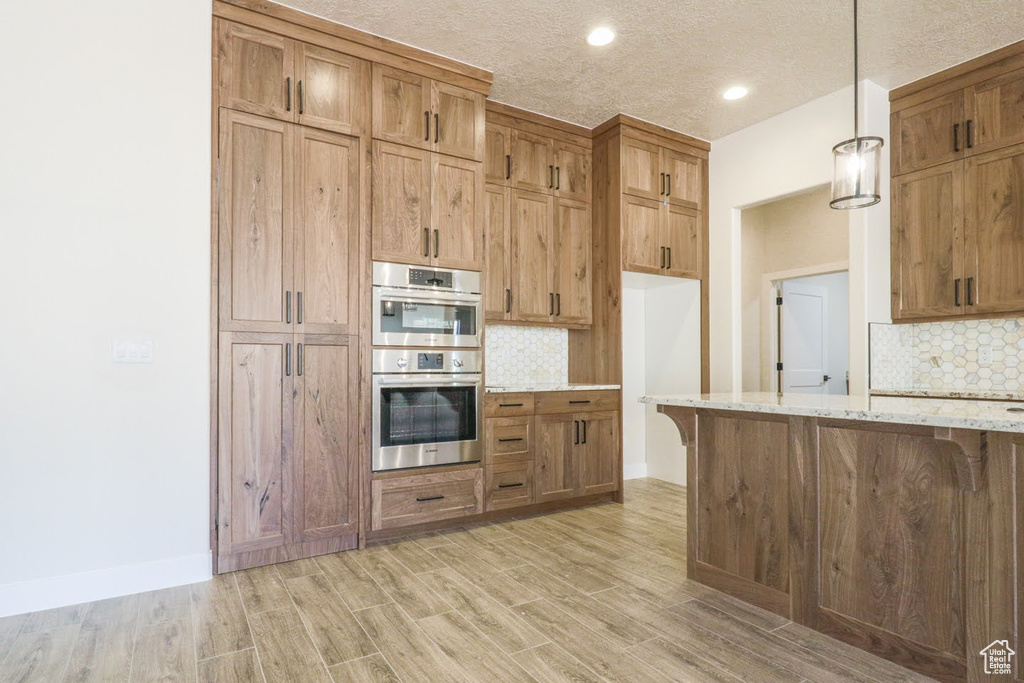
(550, 261)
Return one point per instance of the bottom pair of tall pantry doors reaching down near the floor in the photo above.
(288, 432)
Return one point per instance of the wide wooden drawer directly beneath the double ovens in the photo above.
(425, 498)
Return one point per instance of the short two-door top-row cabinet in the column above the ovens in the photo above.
(429, 115)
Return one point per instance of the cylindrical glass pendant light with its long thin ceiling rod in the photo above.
(857, 163)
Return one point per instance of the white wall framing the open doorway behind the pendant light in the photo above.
(789, 154)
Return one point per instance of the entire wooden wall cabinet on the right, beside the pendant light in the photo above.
(958, 206)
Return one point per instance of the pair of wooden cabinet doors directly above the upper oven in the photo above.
(429, 209)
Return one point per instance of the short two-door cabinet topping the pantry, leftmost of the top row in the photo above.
(267, 74)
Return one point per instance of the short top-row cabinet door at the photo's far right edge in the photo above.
(996, 110)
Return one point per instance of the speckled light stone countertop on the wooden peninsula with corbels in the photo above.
(965, 414)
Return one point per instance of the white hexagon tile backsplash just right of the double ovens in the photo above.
(520, 356)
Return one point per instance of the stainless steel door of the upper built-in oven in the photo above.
(422, 318)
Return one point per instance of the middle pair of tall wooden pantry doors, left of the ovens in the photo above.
(290, 225)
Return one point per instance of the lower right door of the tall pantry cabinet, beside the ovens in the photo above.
(327, 438)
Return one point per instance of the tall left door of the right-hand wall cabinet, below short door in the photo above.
(928, 243)
